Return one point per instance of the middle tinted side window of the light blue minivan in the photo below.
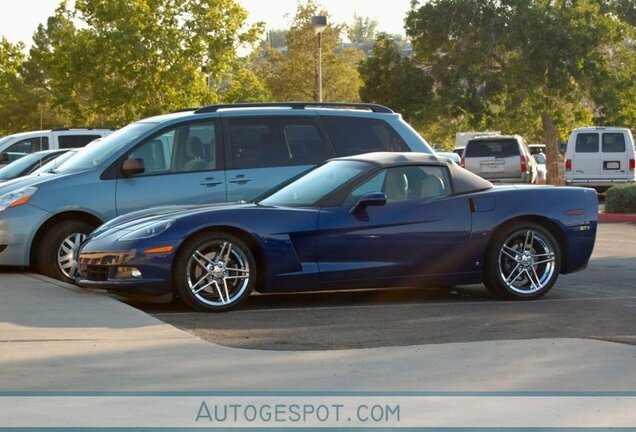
(271, 142)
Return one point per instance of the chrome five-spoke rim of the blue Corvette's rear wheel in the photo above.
(527, 261)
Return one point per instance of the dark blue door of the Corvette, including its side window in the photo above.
(422, 230)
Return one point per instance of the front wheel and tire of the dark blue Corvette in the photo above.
(214, 272)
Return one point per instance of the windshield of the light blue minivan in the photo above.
(100, 151)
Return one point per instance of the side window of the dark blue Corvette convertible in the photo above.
(406, 183)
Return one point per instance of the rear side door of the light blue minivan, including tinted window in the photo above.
(263, 152)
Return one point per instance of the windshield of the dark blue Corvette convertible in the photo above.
(307, 190)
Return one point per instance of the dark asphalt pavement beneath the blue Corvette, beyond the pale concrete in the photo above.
(598, 303)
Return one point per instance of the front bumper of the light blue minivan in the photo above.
(18, 226)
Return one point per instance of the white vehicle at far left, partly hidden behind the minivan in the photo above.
(17, 145)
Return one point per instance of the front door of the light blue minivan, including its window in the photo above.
(183, 165)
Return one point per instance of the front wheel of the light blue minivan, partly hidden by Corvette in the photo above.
(54, 249)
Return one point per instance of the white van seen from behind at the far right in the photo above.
(600, 157)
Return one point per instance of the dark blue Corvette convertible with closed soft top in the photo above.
(374, 220)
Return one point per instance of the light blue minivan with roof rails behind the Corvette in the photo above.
(214, 154)
